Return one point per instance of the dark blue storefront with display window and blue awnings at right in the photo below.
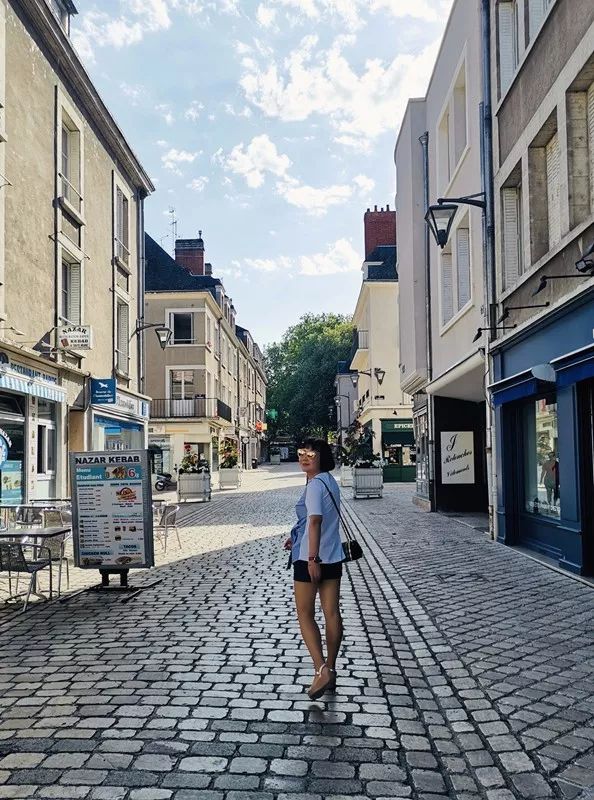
(543, 397)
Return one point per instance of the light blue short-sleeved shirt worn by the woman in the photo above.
(316, 501)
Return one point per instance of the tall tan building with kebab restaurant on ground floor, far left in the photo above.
(71, 241)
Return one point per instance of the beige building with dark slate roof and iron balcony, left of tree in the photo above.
(208, 384)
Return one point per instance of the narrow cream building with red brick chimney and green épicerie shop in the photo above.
(381, 405)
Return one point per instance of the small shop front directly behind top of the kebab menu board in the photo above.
(121, 425)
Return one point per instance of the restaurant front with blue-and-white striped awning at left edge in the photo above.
(31, 417)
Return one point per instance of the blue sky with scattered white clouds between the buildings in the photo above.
(270, 125)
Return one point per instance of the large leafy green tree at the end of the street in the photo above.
(301, 369)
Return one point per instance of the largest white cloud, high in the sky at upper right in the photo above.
(360, 105)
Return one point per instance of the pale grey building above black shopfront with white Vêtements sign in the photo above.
(442, 291)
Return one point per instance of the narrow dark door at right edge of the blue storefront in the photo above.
(586, 436)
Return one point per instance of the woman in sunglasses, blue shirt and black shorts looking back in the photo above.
(316, 556)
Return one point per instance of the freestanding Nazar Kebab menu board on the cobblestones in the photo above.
(112, 519)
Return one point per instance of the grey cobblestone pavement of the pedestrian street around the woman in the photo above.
(467, 670)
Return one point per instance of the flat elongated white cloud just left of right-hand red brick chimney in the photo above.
(339, 257)
